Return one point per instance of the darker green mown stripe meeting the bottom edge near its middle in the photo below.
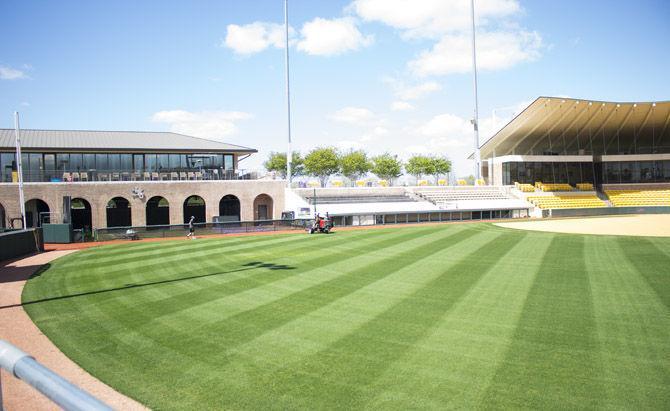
(344, 374)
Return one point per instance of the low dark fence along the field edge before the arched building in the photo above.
(176, 230)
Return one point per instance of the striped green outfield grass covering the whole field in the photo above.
(456, 316)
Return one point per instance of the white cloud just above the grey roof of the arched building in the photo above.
(206, 124)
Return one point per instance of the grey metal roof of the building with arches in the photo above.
(121, 141)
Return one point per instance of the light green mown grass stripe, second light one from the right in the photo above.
(453, 365)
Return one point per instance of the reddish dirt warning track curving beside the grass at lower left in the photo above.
(17, 328)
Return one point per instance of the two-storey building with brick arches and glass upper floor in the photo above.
(122, 179)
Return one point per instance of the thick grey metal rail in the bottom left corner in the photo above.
(62, 392)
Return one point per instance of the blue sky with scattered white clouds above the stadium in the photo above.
(383, 75)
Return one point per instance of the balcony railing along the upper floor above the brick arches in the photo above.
(133, 175)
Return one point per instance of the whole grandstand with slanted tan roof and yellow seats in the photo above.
(573, 153)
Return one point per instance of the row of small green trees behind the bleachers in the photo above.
(325, 162)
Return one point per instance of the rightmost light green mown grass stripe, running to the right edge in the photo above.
(633, 329)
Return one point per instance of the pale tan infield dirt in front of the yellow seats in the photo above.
(650, 225)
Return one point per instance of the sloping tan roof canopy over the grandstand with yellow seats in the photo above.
(555, 125)
